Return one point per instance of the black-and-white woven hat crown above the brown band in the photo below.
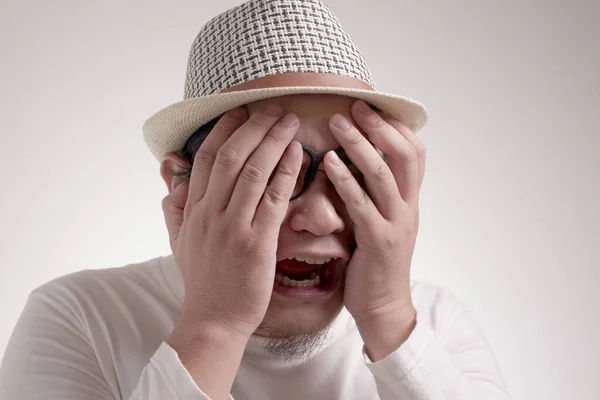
(267, 37)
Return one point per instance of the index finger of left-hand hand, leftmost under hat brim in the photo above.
(205, 157)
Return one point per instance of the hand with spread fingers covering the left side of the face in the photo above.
(224, 237)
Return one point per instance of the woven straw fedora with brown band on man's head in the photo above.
(260, 39)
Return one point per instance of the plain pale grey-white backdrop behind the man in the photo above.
(510, 219)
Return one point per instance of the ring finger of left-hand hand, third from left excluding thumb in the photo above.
(254, 177)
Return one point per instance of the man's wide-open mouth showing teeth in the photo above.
(308, 272)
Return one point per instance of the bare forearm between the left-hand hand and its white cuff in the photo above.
(211, 356)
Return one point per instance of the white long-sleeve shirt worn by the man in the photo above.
(101, 334)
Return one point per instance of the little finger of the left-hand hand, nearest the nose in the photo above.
(273, 206)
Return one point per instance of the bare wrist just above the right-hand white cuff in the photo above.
(383, 334)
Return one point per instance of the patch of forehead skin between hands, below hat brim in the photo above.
(314, 112)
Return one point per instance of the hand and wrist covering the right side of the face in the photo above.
(386, 219)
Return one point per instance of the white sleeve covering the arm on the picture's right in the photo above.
(446, 357)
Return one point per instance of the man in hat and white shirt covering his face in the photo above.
(293, 214)
